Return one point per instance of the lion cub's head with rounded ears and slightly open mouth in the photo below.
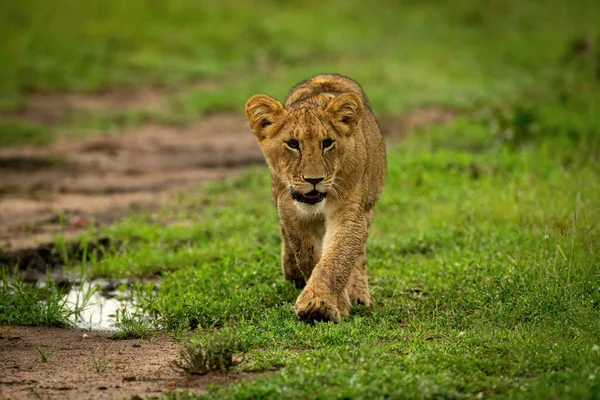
(304, 142)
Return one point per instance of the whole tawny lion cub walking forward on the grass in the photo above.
(327, 161)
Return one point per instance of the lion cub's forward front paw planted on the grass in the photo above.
(313, 307)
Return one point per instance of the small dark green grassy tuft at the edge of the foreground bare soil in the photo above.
(212, 354)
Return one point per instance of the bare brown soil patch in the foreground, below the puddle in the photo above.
(90, 365)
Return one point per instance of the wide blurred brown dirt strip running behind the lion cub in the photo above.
(100, 178)
